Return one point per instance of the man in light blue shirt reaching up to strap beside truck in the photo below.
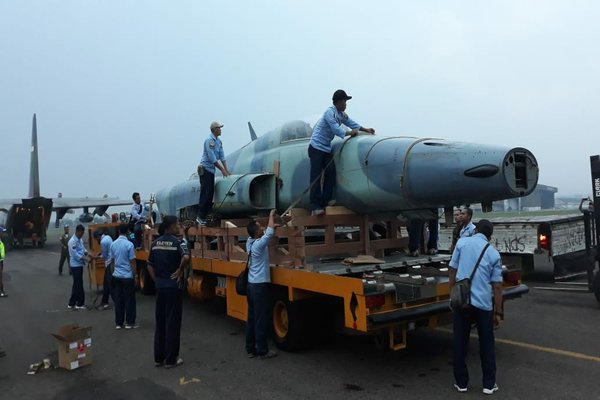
(259, 282)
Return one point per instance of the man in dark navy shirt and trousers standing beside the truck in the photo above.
(168, 259)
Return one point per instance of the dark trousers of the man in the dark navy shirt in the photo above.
(168, 313)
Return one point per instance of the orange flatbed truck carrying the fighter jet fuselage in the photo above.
(328, 272)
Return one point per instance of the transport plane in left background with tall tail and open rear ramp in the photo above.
(28, 218)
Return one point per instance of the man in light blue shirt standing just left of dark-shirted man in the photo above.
(122, 256)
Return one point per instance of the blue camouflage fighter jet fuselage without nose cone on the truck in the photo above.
(374, 174)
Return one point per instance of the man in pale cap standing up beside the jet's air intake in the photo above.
(213, 158)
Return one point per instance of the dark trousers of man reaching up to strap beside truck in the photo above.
(257, 326)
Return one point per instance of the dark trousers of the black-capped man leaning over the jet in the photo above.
(319, 197)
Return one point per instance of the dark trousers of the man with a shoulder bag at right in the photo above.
(460, 345)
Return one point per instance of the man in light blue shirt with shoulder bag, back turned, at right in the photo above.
(473, 258)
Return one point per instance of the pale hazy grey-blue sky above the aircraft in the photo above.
(124, 91)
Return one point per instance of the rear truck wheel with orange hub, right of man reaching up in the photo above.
(289, 322)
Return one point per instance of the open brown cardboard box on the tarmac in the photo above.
(74, 346)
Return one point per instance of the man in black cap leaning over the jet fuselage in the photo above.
(330, 125)
